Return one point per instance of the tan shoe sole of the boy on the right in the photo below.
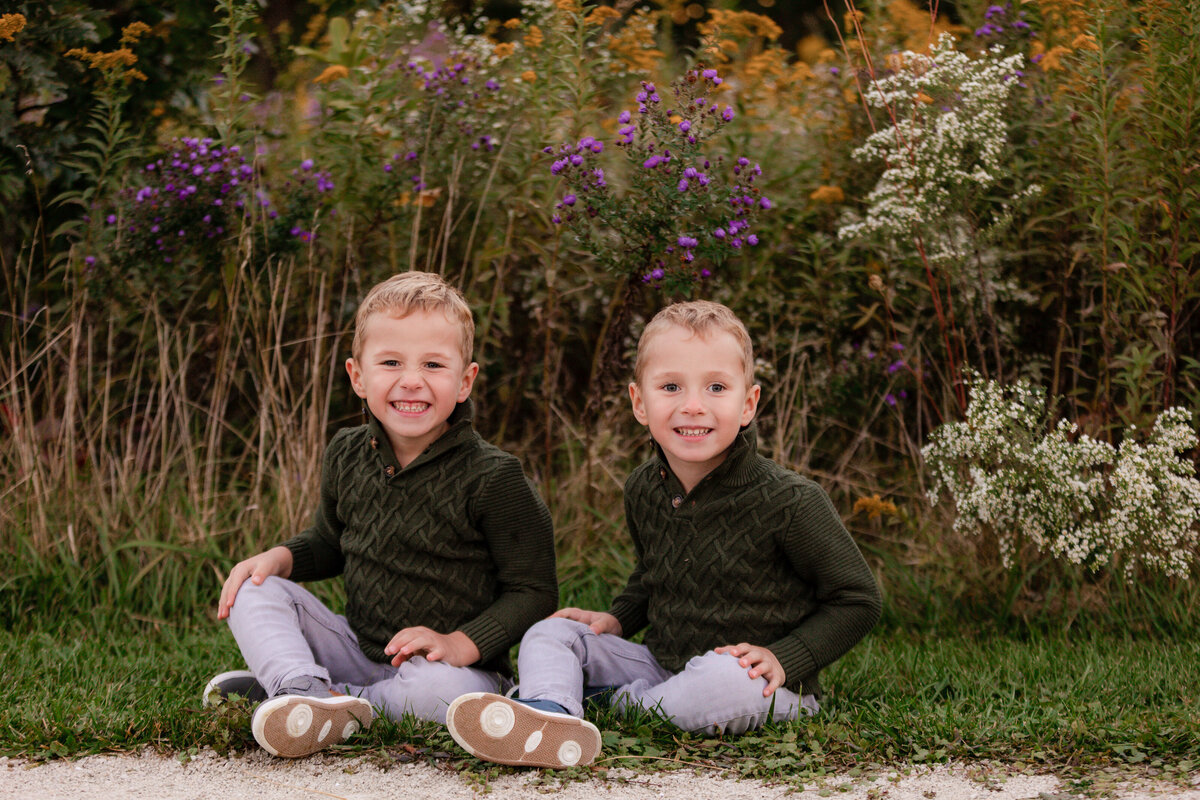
(499, 730)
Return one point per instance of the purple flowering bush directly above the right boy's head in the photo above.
(683, 210)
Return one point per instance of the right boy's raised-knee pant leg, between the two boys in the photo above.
(560, 657)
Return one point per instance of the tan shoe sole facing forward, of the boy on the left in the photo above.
(293, 726)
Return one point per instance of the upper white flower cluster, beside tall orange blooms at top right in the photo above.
(947, 140)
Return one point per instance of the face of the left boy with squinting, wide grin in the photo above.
(412, 374)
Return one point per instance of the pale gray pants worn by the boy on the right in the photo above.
(712, 695)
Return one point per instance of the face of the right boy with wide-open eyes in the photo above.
(694, 398)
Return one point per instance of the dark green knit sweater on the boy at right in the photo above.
(754, 554)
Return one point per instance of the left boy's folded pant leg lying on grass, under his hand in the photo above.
(424, 689)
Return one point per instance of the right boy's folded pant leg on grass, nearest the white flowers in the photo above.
(715, 695)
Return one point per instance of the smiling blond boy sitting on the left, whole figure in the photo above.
(446, 548)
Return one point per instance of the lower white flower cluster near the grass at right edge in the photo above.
(1067, 495)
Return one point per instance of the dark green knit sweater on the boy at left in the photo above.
(458, 540)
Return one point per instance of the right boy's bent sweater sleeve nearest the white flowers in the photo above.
(849, 603)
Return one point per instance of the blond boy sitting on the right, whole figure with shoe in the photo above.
(747, 582)
